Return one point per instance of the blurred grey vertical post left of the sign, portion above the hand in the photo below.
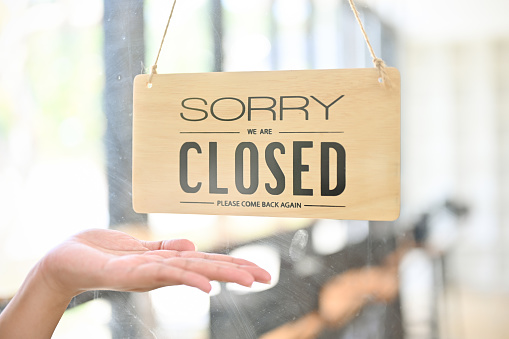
(124, 52)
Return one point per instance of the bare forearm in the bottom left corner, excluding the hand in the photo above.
(35, 310)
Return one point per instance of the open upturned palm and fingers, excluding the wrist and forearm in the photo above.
(101, 259)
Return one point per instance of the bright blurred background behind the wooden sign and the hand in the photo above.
(65, 119)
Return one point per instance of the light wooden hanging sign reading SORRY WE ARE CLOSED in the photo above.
(317, 144)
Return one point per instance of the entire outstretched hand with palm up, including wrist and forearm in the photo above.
(112, 260)
